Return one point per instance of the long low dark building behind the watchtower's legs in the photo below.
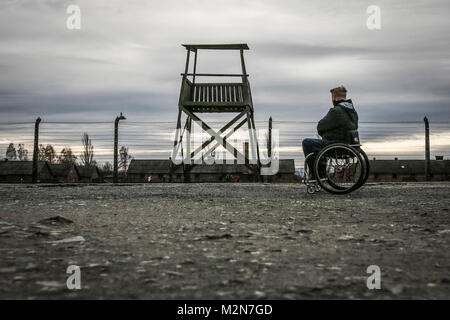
(154, 171)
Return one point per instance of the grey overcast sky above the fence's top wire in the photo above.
(127, 57)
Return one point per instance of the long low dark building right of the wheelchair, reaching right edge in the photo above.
(408, 170)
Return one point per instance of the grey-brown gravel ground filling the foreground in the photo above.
(224, 241)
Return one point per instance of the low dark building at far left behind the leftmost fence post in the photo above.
(21, 172)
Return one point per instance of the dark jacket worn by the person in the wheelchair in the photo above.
(338, 121)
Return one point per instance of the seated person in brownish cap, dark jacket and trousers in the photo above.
(334, 127)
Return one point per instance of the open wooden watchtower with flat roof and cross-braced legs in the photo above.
(198, 97)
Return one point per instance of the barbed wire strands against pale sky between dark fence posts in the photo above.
(154, 139)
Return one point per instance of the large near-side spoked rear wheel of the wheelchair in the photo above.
(340, 168)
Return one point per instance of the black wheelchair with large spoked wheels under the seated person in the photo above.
(339, 168)
